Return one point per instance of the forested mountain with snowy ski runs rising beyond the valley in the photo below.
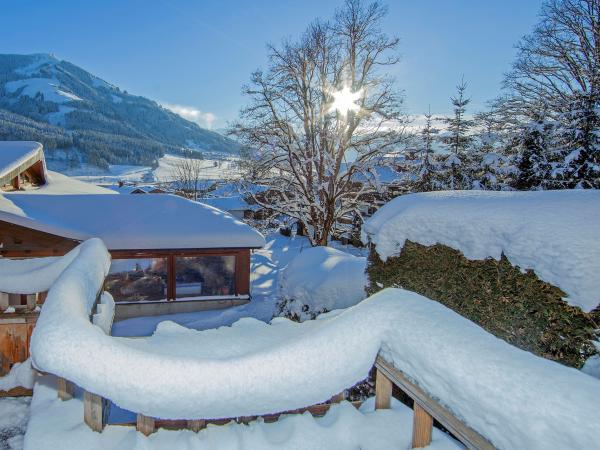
(105, 124)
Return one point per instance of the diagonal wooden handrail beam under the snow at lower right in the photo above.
(465, 434)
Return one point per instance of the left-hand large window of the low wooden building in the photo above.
(140, 279)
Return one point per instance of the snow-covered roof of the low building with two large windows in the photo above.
(130, 222)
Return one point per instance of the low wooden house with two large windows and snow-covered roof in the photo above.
(169, 254)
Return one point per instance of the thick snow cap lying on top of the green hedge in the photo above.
(555, 233)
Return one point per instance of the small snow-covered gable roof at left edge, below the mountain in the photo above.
(17, 156)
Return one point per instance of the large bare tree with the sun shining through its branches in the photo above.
(321, 116)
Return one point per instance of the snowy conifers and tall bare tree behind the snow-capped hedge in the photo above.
(542, 133)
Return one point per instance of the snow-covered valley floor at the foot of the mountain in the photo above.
(213, 168)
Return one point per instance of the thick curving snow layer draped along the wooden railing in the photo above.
(514, 398)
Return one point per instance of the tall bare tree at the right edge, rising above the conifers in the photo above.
(557, 72)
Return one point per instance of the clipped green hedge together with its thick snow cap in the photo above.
(507, 261)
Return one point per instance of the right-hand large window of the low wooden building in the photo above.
(204, 276)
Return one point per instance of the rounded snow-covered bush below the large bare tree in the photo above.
(322, 279)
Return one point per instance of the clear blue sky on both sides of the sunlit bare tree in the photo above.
(197, 54)
